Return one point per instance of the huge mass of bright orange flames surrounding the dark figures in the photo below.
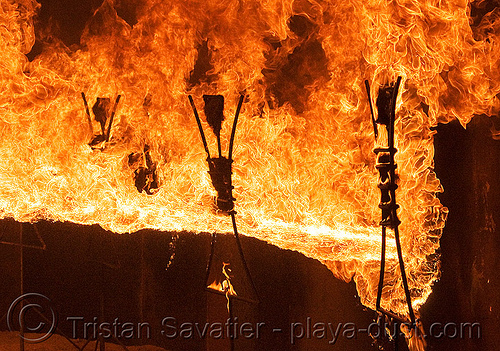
(304, 171)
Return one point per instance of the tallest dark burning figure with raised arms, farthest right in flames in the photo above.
(386, 166)
